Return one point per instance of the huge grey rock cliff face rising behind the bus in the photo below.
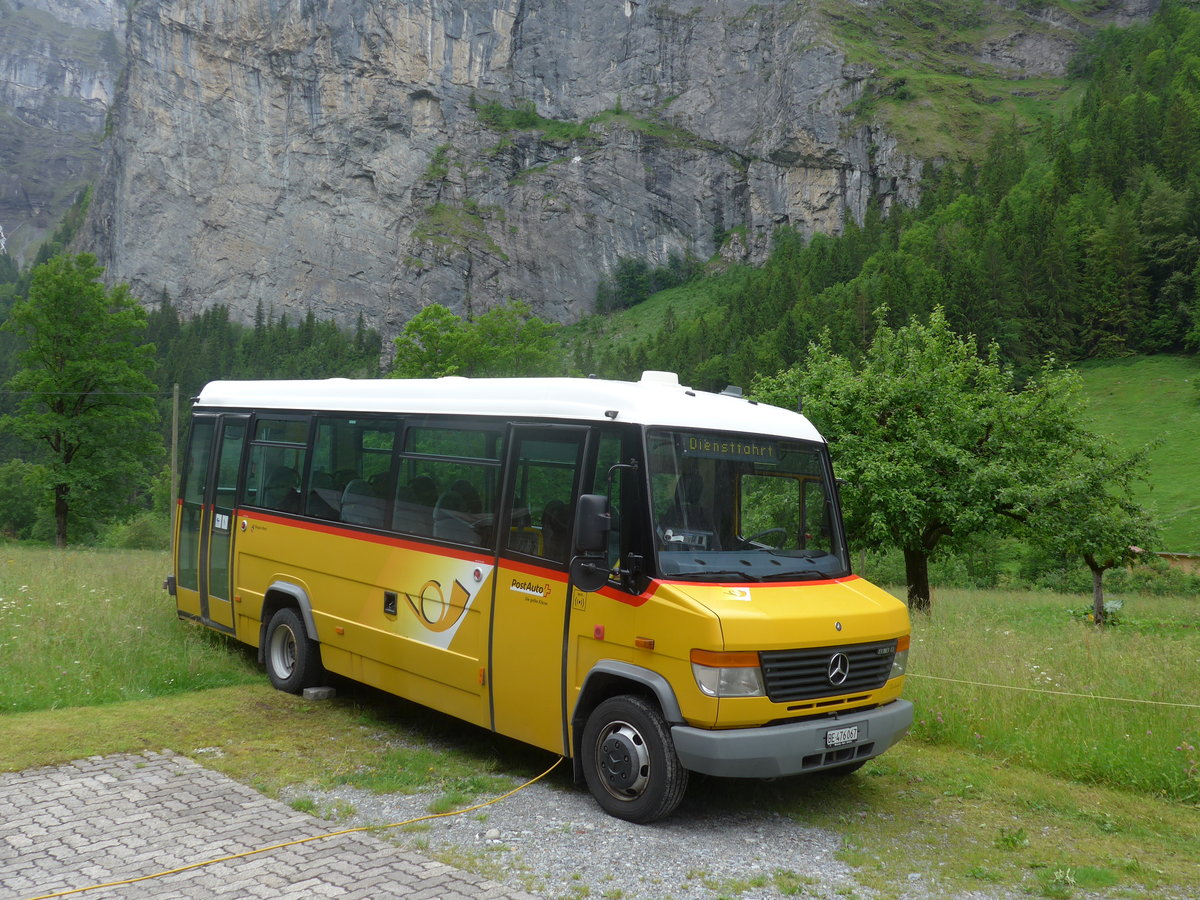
(374, 157)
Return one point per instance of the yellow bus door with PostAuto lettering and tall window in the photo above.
(532, 604)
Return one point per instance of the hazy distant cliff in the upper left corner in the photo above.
(59, 64)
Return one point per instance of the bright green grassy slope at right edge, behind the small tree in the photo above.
(1156, 400)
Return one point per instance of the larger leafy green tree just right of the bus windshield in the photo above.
(937, 442)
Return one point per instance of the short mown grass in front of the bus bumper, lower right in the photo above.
(967, 823)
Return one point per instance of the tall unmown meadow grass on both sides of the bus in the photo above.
(1006, 675)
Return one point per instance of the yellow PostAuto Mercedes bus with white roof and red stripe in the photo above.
(646, 579)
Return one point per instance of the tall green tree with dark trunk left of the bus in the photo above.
(85, 388)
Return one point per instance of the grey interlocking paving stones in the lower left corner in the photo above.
(105, 820)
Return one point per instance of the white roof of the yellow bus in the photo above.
(658, 400)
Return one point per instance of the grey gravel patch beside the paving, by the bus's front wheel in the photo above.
(557, 843)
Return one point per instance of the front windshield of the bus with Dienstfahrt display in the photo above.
(743, 507)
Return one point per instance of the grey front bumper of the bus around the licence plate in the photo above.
(790, 749)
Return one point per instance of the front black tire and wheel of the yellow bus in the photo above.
(629, 760)
